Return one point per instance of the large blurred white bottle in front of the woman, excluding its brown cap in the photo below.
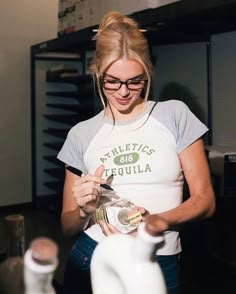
(122, 264)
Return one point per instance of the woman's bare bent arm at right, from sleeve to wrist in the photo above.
(201, 203)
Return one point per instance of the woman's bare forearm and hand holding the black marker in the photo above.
(80, 197)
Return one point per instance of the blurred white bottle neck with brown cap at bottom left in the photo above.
(40, 263)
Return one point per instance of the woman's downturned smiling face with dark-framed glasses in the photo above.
(122, 84)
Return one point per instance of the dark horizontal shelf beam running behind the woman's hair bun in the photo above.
(186, 20)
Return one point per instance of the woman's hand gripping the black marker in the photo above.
(87, 191)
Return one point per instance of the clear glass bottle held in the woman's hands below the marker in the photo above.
(121, 213)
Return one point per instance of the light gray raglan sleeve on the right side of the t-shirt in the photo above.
(183, 124)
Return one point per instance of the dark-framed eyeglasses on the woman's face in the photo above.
(113, 84)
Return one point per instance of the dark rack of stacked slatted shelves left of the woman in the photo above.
(62, 95)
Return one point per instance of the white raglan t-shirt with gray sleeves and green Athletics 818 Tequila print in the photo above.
(142, 156)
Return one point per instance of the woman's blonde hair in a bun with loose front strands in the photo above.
(119, 37)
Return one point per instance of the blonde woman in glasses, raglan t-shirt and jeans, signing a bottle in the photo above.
(147, 147)
